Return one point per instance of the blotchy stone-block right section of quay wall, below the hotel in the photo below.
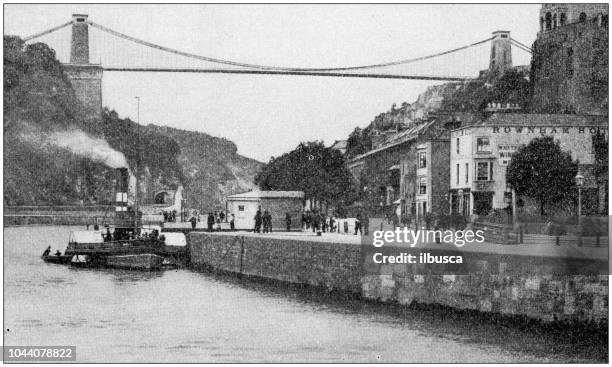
(542, 288)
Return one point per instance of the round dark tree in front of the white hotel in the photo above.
(541, 170)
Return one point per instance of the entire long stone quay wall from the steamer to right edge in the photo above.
(543, 288)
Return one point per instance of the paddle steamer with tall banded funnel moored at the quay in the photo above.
(129, 245)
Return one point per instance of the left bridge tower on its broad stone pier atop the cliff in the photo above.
(86, 78)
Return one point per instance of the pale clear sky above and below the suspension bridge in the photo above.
(268, 115)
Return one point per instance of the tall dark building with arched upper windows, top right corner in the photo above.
(570, 59)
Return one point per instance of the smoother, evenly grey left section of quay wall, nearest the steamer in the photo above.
(332, 266)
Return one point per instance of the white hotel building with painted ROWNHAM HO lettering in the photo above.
(481, 151)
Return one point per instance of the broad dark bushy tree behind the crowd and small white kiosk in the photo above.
(318, 171)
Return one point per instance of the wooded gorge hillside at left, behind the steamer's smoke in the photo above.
(53, 155)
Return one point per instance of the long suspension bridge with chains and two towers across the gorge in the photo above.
(83, 42)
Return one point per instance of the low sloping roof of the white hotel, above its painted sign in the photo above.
(534, 119)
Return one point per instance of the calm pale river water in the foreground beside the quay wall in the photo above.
(185, 316)
